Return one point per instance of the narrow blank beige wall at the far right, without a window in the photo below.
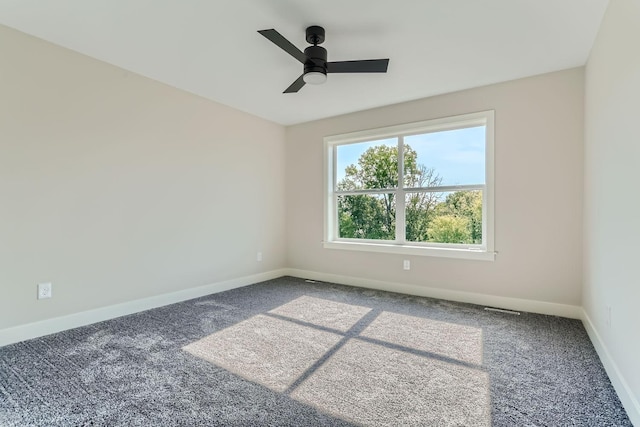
(612, 195)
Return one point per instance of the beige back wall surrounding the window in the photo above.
(538, 193)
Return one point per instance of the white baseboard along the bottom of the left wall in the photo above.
(57, 324)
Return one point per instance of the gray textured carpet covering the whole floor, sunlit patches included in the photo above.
(291, 353)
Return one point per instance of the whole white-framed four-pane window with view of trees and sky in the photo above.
(419, 189)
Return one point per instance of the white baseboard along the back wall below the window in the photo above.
(542, 307)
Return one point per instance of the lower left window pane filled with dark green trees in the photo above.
(367, 216)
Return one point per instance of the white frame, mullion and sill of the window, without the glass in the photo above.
(484, 251)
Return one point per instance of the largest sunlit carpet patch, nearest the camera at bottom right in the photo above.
(374, 385)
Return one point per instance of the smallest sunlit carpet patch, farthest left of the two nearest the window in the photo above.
(322, 312)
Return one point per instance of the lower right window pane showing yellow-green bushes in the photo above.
(452, 217)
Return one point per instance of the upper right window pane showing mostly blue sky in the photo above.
(453, 157)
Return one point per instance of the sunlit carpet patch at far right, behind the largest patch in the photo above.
(451, 340)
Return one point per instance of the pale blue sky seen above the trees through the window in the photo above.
(457, 155)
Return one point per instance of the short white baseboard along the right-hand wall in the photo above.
(629, 401)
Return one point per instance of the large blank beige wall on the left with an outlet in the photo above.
(115, 187)
